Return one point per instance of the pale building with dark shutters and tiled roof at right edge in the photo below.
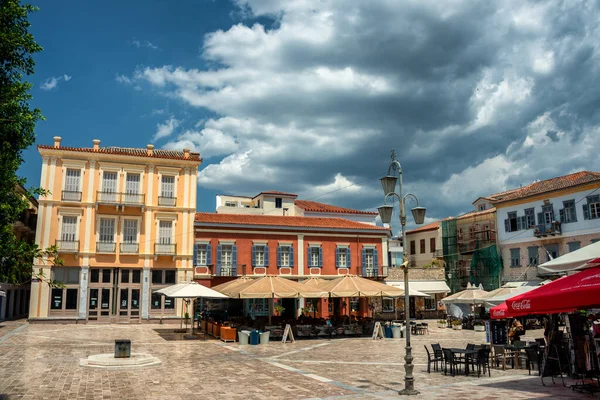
(547, 219)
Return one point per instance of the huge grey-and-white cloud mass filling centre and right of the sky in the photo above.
(477, 97)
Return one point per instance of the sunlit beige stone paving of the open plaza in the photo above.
(43, 362)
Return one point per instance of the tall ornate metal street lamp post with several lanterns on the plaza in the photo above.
(388, 184)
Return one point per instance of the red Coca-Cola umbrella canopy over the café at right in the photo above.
(567, 294)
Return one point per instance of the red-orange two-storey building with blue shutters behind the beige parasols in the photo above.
(231, 245)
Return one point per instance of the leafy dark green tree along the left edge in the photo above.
(17, 124)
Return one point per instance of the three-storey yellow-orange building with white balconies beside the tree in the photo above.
(122, 220)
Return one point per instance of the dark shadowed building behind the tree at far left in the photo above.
(14, 299)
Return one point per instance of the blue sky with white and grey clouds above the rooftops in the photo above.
(311, 97)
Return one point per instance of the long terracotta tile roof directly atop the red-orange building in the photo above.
(287, 221)
